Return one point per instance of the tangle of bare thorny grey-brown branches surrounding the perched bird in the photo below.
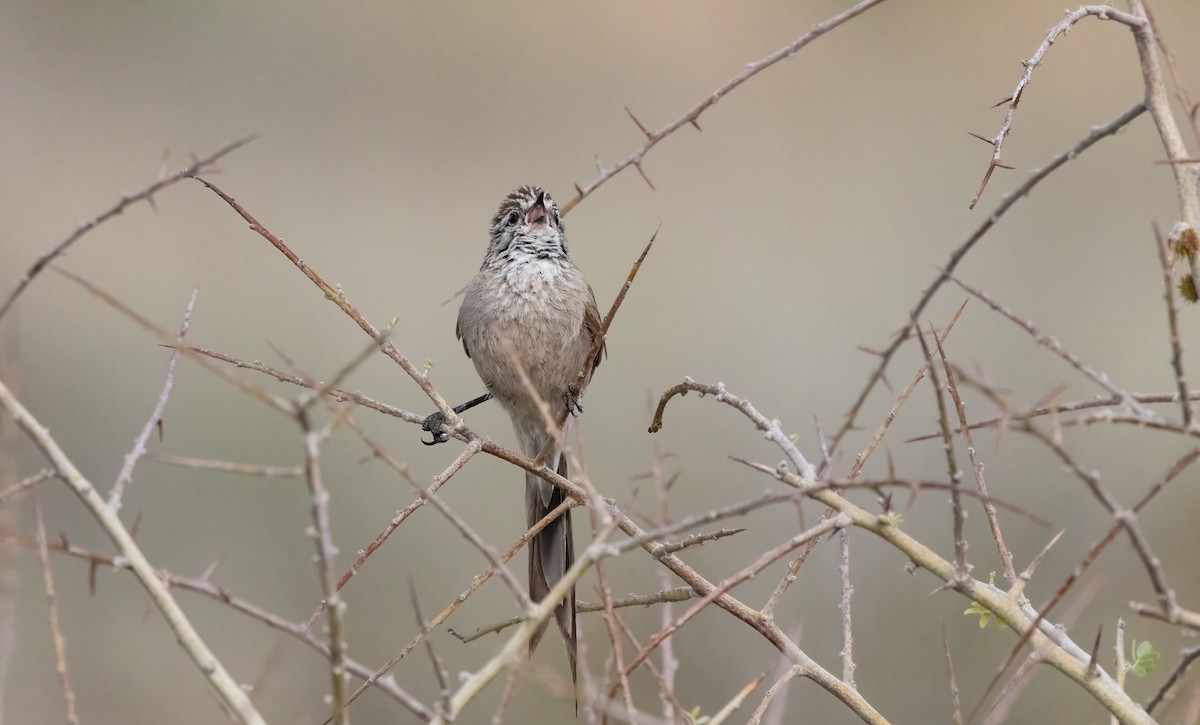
(1048, 644)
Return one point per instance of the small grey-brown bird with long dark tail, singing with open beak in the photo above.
(531, 293)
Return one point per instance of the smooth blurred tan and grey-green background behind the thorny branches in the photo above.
(803, 223)
